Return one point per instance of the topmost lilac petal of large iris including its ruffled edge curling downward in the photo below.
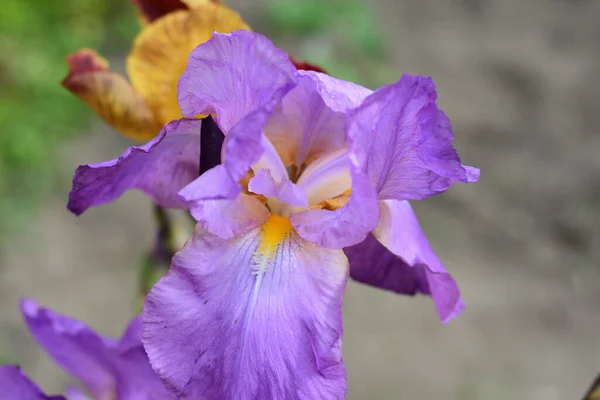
(248, 77)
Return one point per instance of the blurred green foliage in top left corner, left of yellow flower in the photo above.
(35, 111)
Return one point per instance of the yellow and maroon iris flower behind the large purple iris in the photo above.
(138, 108)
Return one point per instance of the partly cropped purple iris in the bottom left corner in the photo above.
(109, 369)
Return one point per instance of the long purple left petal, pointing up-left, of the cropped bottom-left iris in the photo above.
(73, 346)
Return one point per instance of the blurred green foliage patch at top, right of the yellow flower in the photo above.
(343, 36)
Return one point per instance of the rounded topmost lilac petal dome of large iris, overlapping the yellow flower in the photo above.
(232, 75)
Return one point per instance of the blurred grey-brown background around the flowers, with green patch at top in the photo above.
(519, 80)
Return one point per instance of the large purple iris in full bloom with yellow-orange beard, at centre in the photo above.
(313, 184)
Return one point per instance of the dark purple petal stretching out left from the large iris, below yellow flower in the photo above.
(160, 169)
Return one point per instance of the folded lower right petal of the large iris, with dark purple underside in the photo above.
(398, 257)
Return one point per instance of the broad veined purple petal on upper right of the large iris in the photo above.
(406, 141)
